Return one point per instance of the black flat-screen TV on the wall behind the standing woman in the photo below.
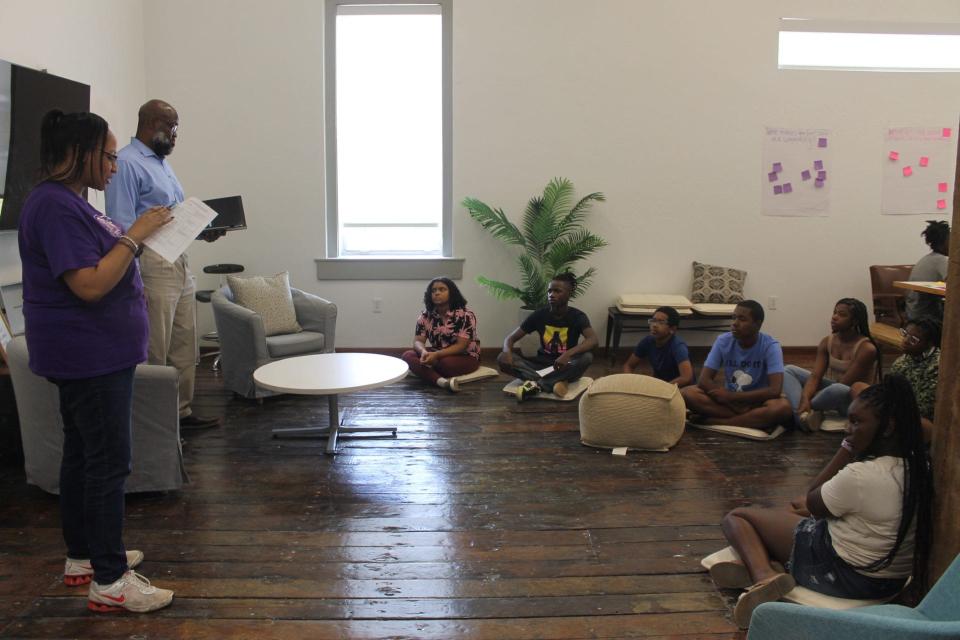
(25, 96)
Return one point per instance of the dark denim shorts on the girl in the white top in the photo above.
(814, 564)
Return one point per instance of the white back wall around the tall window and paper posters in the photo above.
(661, 105)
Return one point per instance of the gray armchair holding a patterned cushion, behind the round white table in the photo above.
(244, 347)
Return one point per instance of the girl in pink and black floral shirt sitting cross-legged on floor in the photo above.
(451, 331)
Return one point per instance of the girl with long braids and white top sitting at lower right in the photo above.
(864, 527)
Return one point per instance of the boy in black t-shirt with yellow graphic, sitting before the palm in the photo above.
(560, 327)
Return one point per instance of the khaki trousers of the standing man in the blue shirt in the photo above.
(171, 311)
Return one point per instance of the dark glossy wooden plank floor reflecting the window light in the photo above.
(482, 519)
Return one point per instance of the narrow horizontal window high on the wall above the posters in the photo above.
(814, 44)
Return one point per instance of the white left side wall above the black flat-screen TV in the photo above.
(99, 44)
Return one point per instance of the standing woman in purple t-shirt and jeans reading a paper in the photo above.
(86, 331)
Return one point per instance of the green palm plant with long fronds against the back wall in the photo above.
(552, 239)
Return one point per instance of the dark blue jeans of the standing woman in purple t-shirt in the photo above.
(97, 415)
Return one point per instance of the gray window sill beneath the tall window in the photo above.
(388, 268)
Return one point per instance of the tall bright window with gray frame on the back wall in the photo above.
(388, 128)
